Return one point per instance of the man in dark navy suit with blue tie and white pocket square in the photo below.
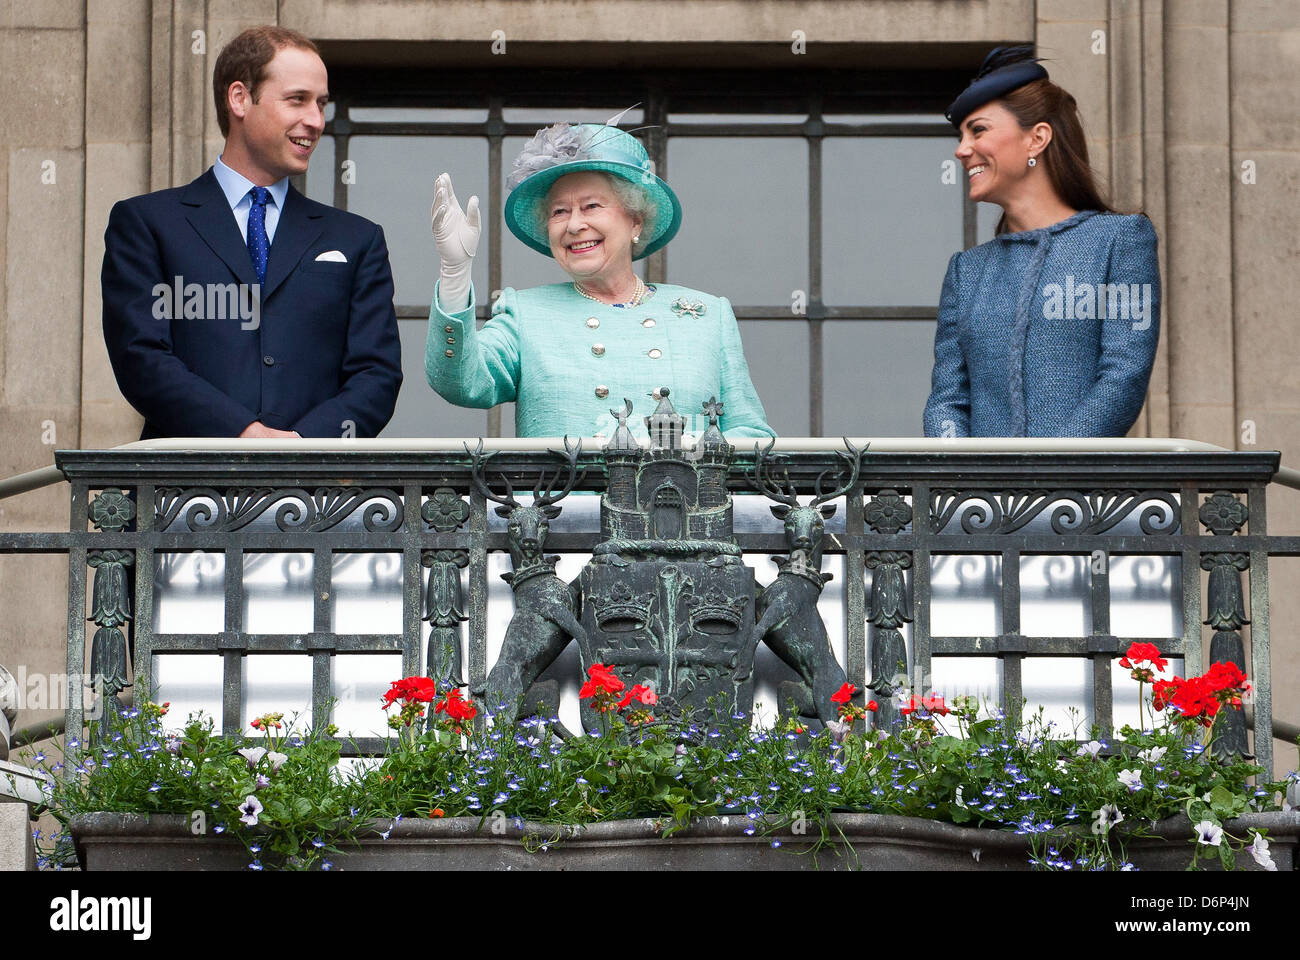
(237, 308)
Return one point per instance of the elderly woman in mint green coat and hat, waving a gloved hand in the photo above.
(569, 353)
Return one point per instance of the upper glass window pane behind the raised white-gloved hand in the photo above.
(395, 188)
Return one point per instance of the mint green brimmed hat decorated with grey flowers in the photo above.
(565, 149)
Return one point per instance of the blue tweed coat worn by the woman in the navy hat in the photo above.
(1048, 334)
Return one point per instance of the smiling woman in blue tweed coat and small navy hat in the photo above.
(1051, 328)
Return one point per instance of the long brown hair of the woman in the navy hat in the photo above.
(1067, 155)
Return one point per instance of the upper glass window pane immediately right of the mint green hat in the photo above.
(746, 220)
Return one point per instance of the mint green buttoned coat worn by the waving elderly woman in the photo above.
(567, 361)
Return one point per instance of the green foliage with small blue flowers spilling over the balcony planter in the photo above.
(983, 773)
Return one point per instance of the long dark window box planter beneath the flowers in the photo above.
(138, 842)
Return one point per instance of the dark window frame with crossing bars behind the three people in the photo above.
(820, 96)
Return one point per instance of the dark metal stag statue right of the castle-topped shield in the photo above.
(787, 613)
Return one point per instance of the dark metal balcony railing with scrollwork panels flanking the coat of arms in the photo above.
(902, 511)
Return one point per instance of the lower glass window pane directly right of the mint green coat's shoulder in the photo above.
(778, 357)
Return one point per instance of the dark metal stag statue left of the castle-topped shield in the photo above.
(545, 607)
